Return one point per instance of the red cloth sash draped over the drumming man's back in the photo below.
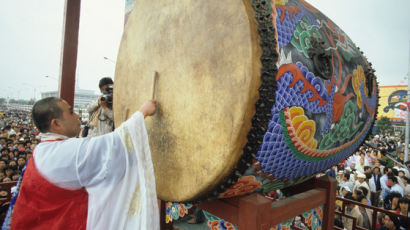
(42, 205)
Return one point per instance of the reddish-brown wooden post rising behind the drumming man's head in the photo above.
(68, 61)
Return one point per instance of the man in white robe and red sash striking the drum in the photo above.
(105, 182)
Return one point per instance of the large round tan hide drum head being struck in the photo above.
(207, 55)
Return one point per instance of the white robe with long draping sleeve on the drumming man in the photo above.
(115, 169)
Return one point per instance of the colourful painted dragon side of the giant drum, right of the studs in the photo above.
(325, 101)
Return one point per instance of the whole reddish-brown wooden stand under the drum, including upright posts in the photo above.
(256, 212)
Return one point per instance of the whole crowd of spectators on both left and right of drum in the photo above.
(376, 174)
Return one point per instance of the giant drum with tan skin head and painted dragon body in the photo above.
(253, 95)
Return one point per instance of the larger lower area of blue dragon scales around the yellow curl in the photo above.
(274, 154)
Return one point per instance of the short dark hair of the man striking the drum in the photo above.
(44, 111)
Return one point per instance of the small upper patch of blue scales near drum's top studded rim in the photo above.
(285, 29)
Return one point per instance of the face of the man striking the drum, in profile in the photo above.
(69, 119)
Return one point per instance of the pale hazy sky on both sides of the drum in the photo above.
(31, 35)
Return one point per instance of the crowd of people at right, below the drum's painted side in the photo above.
(375, 175)
